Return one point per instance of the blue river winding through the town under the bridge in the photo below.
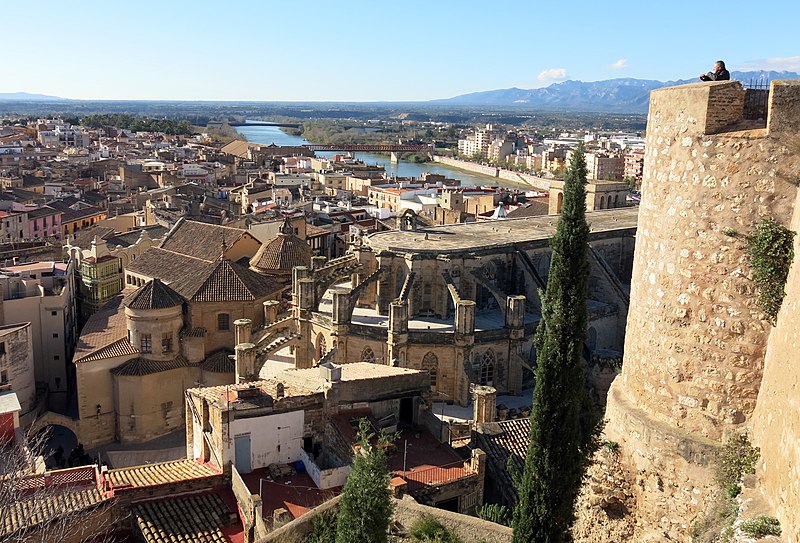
(272, 134)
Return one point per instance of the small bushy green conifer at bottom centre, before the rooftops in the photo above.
(365, 508)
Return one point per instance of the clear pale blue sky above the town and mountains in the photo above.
(406, 50)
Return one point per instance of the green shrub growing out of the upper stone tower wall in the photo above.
(771, 250)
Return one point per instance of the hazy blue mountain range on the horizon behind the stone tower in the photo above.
(623, 95)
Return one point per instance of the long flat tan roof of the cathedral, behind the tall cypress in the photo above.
(472, 237)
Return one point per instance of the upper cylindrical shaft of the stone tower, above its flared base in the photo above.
(695, 338)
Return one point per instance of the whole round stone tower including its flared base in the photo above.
(696, 338)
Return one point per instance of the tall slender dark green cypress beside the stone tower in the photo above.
(563, 423)
